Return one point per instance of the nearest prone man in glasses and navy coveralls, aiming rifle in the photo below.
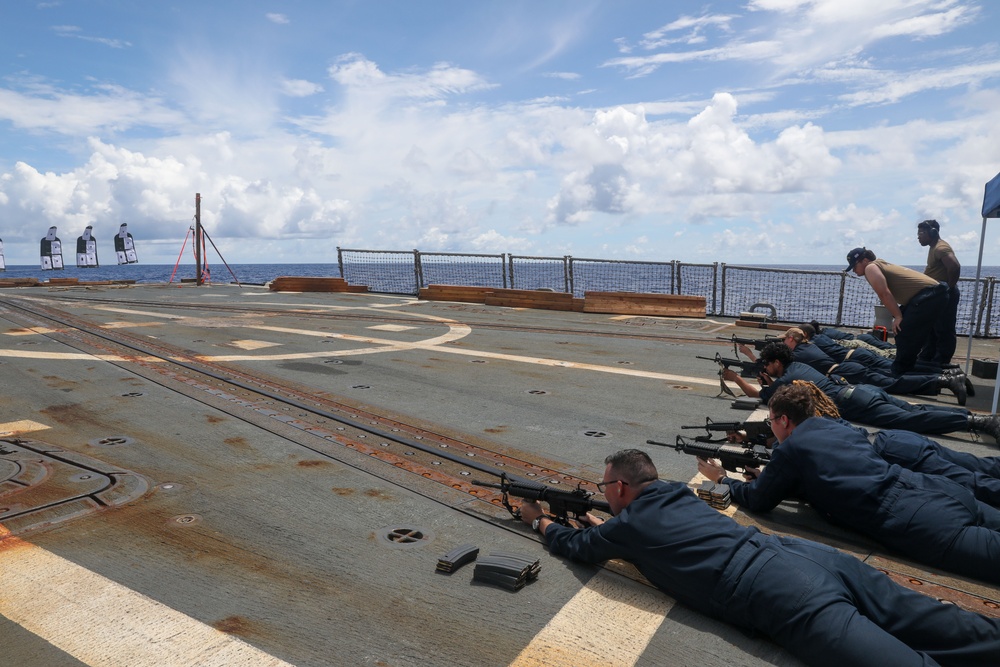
(824, 606)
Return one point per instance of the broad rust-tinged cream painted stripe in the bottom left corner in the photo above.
(104, 624)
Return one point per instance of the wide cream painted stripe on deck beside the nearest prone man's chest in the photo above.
(610, 621)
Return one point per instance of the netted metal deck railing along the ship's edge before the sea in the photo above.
(830, 297)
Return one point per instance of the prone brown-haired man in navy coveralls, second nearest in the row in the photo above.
(833, 467)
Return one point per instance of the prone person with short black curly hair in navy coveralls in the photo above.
(863, 403)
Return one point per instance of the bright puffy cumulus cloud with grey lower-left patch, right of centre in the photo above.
(633, 166)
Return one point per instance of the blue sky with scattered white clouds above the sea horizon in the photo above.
(746, 132)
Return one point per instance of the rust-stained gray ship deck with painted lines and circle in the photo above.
(245, 532)
